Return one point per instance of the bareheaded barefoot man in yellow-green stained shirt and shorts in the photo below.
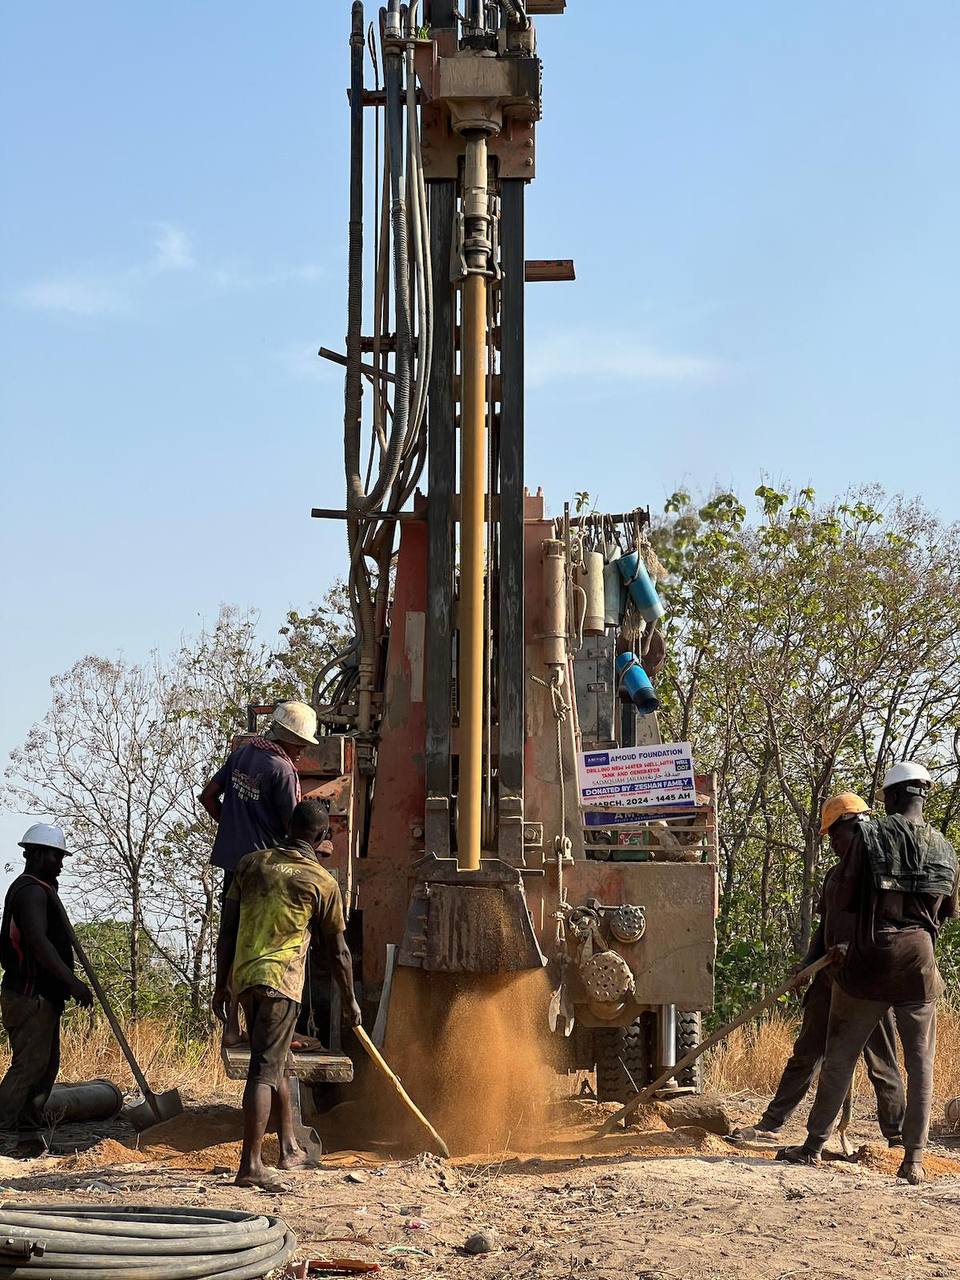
(275, 899)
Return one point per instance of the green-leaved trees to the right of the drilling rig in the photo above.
(808, 650)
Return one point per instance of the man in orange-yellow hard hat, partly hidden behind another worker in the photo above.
(880, 1053)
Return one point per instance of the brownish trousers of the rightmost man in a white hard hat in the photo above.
(852, 1023)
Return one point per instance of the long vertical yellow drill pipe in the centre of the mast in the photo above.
(472, 573)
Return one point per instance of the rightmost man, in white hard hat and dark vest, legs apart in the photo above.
(899, 877)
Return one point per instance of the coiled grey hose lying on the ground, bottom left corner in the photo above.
(129, 1242)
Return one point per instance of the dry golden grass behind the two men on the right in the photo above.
(752, 1059)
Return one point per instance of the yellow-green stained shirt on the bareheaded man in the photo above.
(281, 893)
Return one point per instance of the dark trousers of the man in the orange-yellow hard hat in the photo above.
(880, 1058)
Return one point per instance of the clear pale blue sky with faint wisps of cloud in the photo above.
(762, 200)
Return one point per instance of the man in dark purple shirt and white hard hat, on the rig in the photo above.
(253, 798)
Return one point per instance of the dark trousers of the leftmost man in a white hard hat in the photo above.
(33, 1027)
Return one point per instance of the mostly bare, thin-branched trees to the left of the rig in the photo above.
(121, 760)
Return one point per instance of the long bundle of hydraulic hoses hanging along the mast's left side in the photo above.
(400, 396)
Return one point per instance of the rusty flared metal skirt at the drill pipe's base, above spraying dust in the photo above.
(469, 922)
